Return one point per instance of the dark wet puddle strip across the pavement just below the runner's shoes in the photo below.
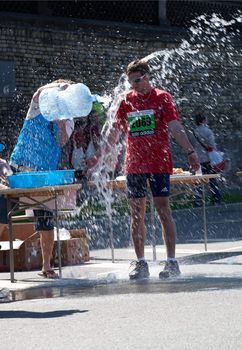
(101, 288)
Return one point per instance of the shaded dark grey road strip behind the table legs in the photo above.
(223, 223)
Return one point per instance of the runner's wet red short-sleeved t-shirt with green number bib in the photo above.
(144, 120)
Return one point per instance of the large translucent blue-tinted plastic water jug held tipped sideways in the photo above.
(73, 102)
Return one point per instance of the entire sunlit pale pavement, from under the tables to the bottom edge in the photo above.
(95, 306)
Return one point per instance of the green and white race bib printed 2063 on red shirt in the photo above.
(141, 123)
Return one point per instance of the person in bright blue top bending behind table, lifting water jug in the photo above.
(38, 148)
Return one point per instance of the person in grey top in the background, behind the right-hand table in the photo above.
(201, 138)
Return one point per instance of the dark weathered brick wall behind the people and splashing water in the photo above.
(96, 54)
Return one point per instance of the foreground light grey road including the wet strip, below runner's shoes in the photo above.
(195, 311)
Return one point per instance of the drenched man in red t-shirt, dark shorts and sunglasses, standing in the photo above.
(146, 115)
